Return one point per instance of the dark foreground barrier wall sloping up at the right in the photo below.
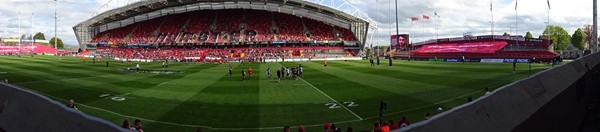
(553, 100)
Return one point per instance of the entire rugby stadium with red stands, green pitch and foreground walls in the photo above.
(291, 65)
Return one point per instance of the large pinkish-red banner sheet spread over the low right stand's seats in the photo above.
(482, 47)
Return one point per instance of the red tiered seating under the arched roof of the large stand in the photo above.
(224, 26)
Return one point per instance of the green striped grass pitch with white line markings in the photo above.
(346, 93)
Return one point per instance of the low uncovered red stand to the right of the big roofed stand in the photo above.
(481, 47)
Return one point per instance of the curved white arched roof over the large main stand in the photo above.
(106, 18)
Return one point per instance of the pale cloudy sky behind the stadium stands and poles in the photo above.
(457, 16)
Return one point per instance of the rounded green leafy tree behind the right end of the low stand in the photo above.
(559, 36)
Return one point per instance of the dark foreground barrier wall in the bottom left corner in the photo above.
(25, 111)
